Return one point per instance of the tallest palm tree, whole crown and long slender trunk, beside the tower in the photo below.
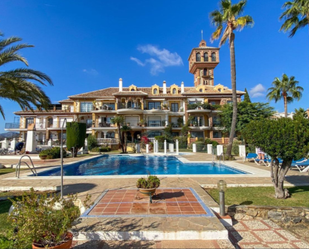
(229, 16)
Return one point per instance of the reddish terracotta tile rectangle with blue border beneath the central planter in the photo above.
(132, 202)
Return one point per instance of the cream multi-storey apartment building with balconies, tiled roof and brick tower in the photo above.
(147, 110)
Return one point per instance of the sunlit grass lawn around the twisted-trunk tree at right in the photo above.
(262, 196)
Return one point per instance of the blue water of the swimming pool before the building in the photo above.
(141, 165)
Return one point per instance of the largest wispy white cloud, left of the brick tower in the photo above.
(160, 58)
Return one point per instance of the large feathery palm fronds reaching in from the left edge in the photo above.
(17, 85)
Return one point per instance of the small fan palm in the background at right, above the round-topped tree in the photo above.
(287, 89)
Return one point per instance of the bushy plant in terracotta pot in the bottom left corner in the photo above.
(44, 220)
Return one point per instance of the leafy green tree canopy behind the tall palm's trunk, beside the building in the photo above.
(247, 112)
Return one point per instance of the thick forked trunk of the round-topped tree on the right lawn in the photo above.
(278, 175)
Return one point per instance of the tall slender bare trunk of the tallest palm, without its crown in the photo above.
(234, 95)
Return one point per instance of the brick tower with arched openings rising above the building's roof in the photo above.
(202, 62)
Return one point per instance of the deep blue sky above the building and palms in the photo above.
(88, 45)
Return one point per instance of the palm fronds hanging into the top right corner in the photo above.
(296, 16)
